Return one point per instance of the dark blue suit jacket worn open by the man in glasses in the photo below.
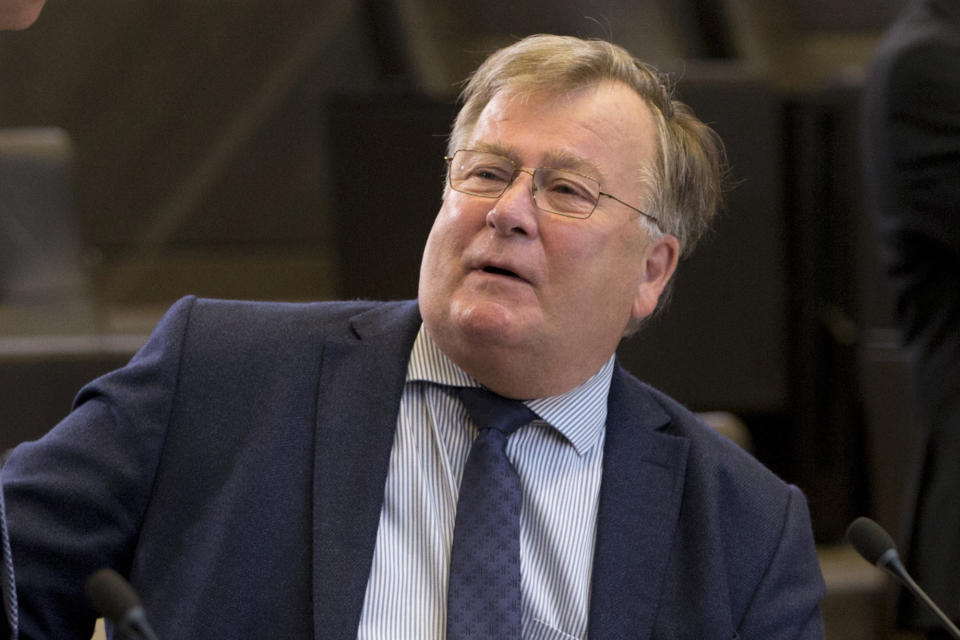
(235, 470)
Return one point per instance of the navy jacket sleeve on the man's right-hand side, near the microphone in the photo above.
(785, 605)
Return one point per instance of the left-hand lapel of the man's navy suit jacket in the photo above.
(358, 400)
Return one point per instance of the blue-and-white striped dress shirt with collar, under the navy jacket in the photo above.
(559, 460)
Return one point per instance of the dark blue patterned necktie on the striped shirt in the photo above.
(483, 598)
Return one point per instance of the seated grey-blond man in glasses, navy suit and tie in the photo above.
(293, 470)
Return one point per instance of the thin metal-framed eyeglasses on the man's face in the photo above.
(560, 191)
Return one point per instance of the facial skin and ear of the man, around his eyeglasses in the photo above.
(503, 274)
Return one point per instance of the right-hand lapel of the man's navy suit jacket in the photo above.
(640, 496)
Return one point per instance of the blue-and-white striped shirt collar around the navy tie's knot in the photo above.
(578, 414)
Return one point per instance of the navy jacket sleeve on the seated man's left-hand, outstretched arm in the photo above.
(76, 497)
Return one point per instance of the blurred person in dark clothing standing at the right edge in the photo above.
(912, 157)
